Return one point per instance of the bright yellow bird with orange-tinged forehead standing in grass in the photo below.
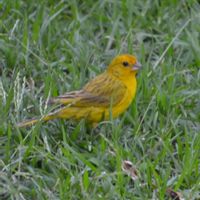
(108, 94)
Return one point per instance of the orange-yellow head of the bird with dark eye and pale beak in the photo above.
(123, 66)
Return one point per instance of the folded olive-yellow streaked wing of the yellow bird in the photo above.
(102, 91)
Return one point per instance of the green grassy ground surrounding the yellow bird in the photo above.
(50, 47)
